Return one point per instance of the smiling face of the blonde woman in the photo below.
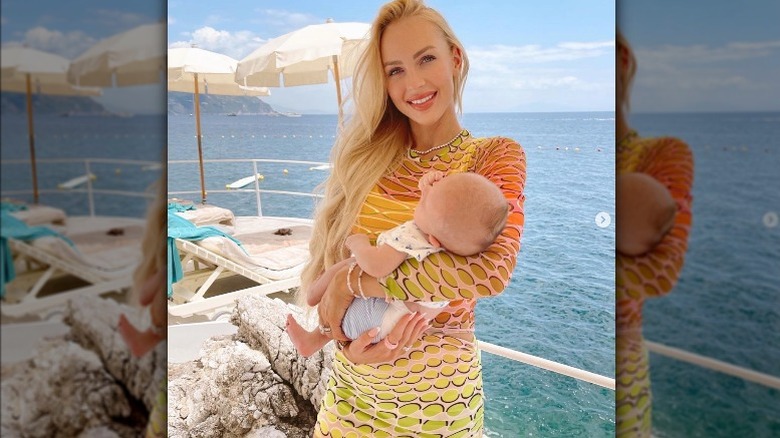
(419, 69)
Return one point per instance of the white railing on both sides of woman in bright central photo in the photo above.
(508, 353)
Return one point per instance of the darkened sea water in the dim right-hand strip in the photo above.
(726, 304)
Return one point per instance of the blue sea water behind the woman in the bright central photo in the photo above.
(560, 303)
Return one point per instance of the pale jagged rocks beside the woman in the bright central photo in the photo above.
(250, 384)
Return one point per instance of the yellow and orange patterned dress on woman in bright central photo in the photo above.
(435, 390)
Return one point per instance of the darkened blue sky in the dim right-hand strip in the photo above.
(704, 55)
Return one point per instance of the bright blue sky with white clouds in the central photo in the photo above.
(525, 56)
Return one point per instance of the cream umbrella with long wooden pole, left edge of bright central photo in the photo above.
(191, 69)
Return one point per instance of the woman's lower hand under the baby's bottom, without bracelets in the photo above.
(405, 333)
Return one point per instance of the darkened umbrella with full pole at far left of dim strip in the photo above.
(31, 71)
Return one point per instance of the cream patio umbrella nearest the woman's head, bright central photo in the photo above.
(305, 56)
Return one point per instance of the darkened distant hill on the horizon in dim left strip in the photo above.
(15, 103)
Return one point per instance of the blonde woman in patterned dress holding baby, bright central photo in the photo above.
(407, 86)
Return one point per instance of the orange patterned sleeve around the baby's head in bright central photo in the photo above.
(444, 276)
